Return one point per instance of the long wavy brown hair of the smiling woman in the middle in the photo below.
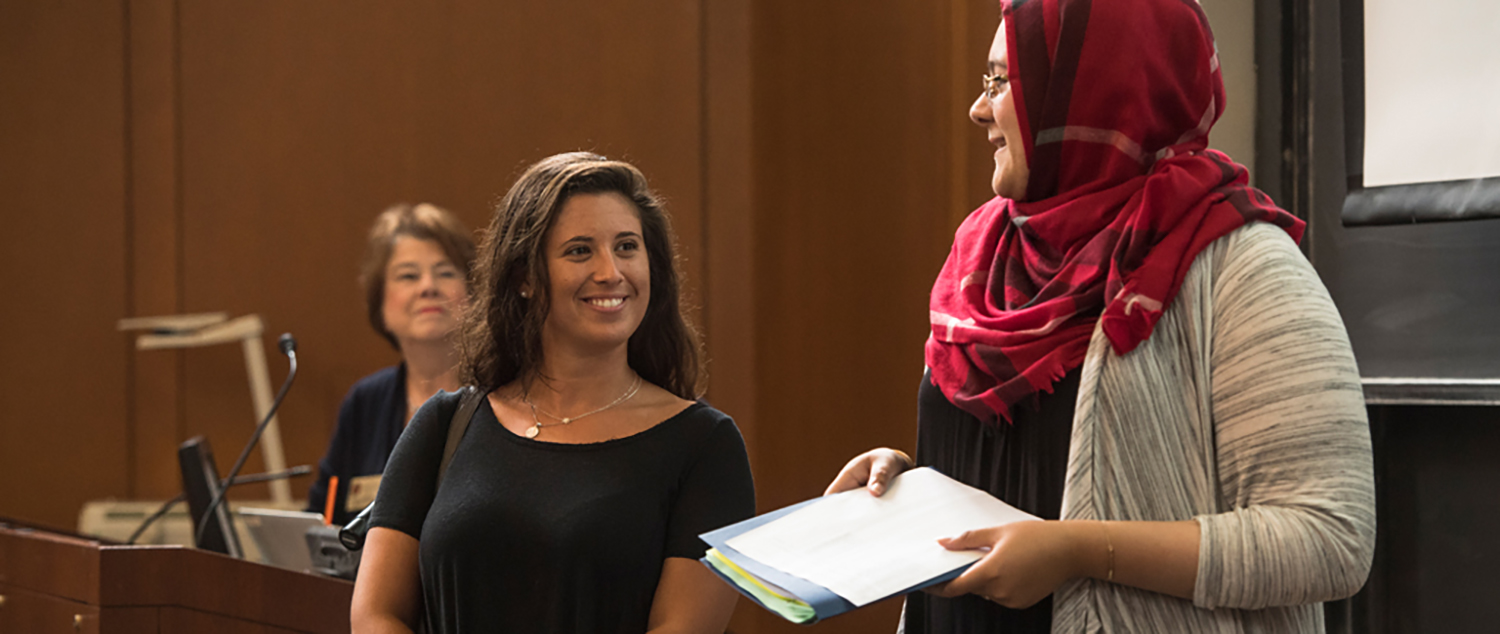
(502, 333)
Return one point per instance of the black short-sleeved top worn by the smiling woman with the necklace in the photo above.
(545, 537)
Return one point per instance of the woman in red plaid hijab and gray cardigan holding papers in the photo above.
(1127, 341)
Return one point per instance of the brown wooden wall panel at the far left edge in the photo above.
(62, 365)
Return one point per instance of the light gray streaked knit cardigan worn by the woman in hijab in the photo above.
(1244, 411)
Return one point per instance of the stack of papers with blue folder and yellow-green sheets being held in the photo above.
(832, 555)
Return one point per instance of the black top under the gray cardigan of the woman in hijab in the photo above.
(1024, 464)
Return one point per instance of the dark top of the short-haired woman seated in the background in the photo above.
(370, 423)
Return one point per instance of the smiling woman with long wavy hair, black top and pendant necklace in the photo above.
(575, 500)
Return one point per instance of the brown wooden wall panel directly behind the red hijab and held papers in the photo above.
(862, 128)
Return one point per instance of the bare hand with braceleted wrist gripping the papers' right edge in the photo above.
(1027, 561)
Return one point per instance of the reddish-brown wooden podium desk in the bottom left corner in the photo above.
(53, 582)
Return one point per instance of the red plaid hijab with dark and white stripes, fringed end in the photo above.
(1115, 100)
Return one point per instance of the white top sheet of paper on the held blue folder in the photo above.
(865, 548)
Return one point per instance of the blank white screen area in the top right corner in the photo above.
(1432, 91)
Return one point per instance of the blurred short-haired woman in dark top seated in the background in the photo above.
(416, 284)
